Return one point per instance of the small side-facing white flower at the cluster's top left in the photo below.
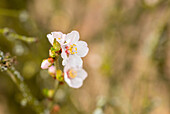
(59, 36)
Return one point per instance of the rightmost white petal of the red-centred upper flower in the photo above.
(82, 48)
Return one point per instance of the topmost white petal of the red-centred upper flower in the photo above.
(72, 37)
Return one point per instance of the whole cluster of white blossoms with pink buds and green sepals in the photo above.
(71, 51)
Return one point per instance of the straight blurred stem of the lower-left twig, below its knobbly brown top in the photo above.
(19, 81)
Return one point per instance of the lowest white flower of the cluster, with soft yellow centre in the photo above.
(74, 74)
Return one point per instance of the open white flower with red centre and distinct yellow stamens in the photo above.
(72, 46)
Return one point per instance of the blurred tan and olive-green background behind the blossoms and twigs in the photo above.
(128, 62)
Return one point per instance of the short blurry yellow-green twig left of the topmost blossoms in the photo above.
(12, 35)
